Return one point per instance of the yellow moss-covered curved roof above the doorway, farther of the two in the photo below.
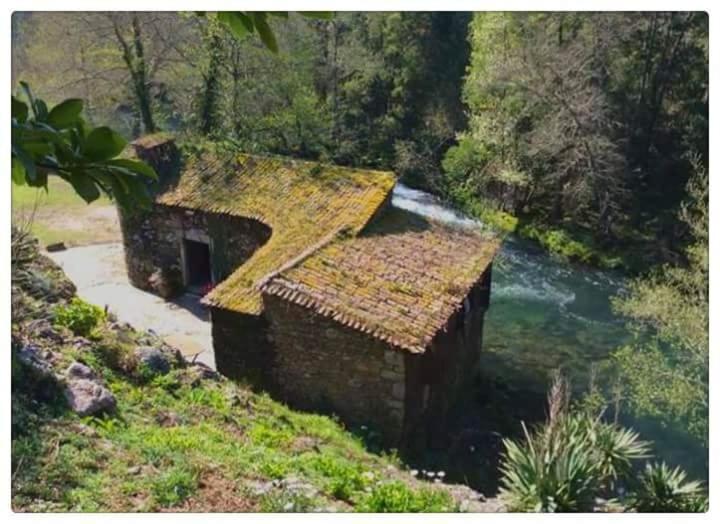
(304, 203)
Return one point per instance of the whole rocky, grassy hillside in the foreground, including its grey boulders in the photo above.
(116, 420)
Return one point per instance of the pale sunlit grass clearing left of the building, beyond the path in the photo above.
(60, 215)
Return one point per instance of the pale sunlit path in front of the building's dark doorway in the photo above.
(98, 271)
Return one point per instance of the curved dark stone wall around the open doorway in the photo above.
(153, 241)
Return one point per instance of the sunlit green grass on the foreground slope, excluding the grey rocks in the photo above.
(175, 444)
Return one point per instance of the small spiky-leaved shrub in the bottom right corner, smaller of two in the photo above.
(661, 489)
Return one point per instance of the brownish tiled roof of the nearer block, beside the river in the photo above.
(400, 280)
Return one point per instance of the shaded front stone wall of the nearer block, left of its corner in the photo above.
(322, 365)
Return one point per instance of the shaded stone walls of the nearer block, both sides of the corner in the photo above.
(315, 363)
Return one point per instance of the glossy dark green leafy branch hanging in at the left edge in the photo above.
(58, 141)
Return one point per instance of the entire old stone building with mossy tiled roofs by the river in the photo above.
(320, 291)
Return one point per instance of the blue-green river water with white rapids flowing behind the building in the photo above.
(546, 314)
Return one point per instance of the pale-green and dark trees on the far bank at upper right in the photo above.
(548, 142)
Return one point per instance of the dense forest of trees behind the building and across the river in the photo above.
(578, 130)
